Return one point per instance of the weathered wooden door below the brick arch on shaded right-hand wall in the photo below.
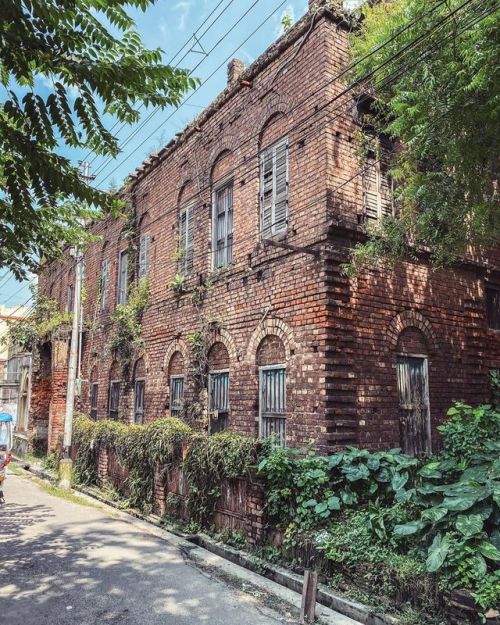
(414, 414)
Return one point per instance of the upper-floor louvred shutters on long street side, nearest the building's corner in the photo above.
(274, 189)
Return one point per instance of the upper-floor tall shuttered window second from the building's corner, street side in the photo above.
(222, 226)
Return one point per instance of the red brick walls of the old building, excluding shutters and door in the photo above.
(290, 305)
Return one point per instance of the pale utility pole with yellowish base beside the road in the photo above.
(66, 464)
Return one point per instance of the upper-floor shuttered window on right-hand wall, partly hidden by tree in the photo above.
(377, 184)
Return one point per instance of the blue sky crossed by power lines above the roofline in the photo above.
(170, 25)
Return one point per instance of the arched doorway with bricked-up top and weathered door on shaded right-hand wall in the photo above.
(413, 389)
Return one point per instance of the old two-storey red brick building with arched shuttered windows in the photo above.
(248, 215)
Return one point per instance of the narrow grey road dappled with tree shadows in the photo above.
(64, 563)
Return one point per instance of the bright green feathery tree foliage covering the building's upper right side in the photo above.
(435, 77)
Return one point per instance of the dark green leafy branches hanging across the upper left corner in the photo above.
(91, 54)
